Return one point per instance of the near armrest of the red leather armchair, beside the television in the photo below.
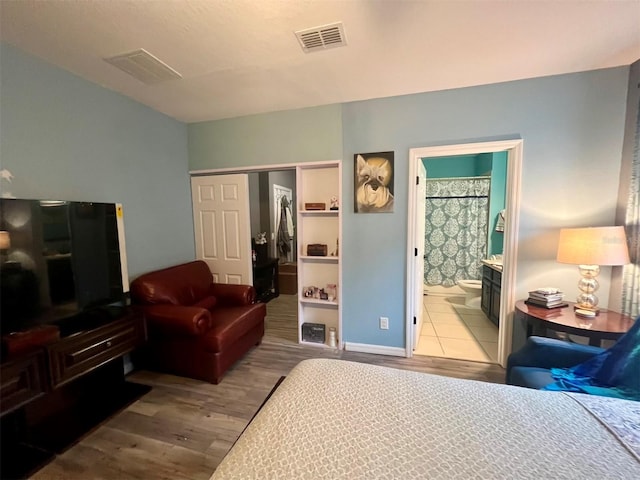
(171, 320)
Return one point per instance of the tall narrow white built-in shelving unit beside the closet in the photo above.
(318, 183)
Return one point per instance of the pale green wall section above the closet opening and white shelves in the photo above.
(304, 135)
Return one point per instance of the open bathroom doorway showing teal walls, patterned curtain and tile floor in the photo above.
(462, 195)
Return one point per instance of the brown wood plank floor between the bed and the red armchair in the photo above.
(183, 428)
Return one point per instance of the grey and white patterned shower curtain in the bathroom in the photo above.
(455, 229)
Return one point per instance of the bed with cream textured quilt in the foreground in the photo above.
(332, 419)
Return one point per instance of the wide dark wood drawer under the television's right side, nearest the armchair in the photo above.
(78, 354)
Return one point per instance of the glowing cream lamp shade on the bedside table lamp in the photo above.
(593, 246)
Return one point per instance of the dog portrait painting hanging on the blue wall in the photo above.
(373, 182)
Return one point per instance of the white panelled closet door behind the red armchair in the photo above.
(222, 226)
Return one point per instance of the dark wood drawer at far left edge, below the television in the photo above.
(22, 381)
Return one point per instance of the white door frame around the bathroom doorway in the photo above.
(514, 171)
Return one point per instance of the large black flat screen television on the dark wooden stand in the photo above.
(60, 261)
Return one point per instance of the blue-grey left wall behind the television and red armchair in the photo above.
(65, 138)
